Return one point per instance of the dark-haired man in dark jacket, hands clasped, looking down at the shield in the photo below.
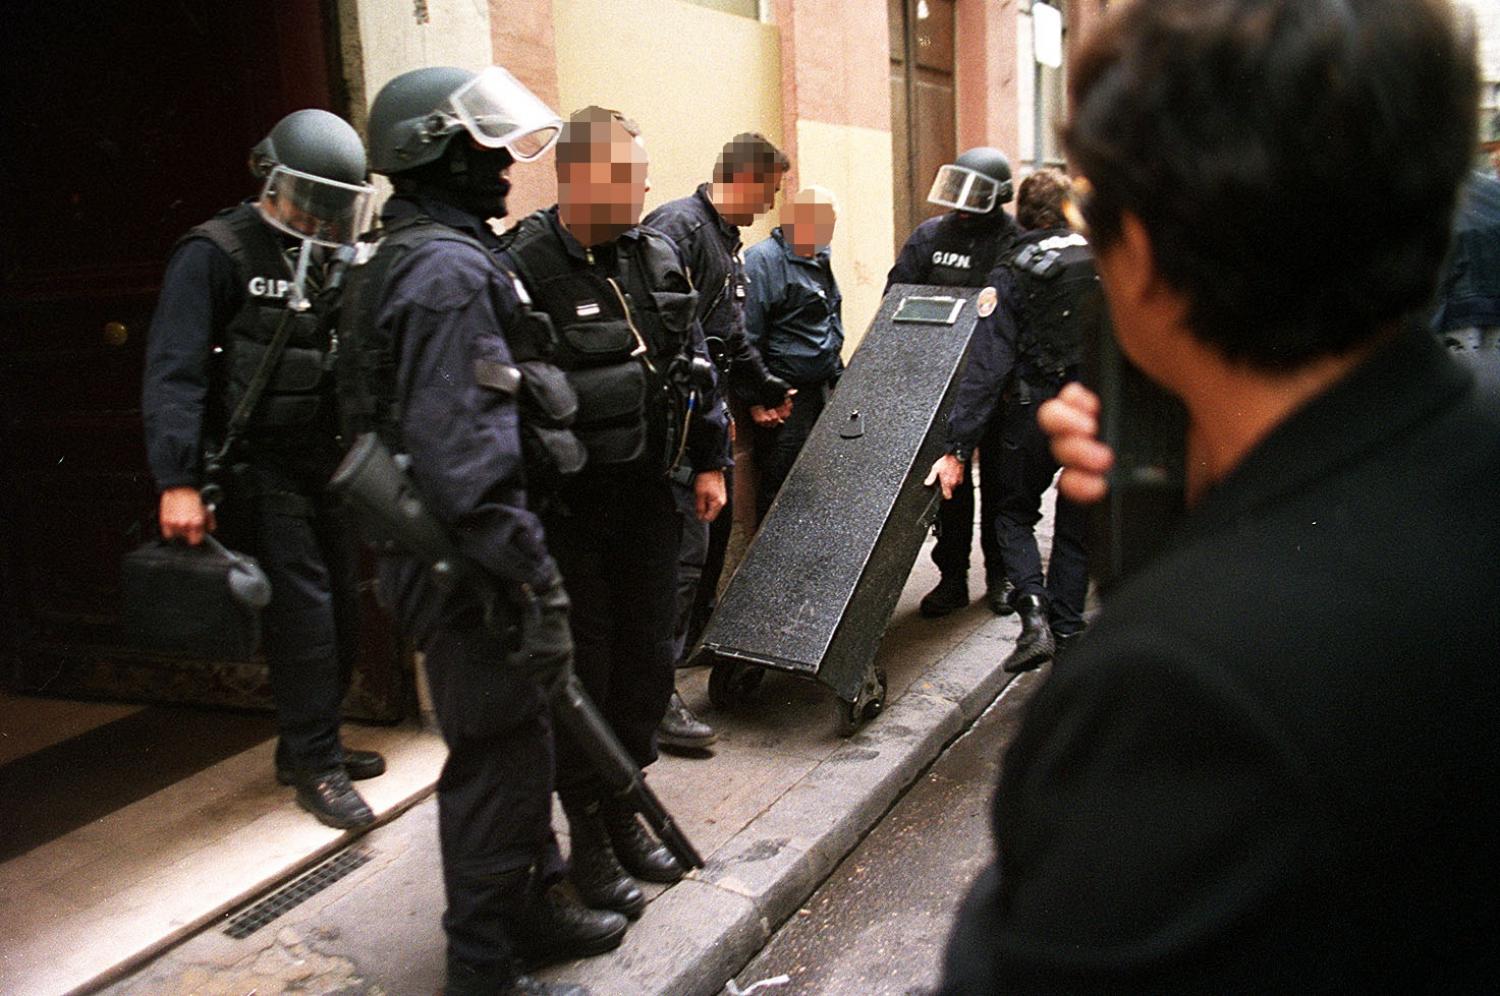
(706, 227)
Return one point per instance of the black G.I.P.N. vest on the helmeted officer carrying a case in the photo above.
(299, 398)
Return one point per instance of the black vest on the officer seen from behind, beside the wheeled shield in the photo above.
(1061, 289)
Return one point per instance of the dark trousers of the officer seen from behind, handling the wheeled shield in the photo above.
(1025, 473)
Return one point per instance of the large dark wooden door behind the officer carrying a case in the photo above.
(125, 125)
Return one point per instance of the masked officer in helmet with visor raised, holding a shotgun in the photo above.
(437, 358)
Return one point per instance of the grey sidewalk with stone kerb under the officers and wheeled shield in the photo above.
(782, 800)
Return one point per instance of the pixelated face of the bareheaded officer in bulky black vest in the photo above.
(607, 193)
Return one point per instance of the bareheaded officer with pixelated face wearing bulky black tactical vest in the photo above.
(629, 338)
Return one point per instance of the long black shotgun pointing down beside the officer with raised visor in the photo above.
(394, 515)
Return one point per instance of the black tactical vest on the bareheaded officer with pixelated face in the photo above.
(620, 331)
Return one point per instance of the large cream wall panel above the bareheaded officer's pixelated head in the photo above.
(689, 76)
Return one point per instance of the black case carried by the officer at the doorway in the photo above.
(194, 601)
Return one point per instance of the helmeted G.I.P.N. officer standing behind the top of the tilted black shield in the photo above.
(961, 250)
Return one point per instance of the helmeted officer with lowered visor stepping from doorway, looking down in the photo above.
(256, 463)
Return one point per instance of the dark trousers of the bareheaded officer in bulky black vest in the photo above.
(616, 539)
